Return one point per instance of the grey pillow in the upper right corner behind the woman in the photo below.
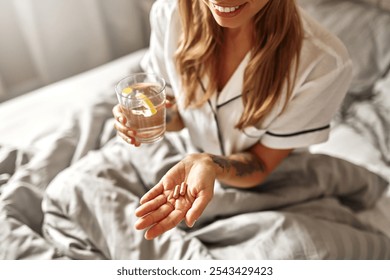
(364, 29)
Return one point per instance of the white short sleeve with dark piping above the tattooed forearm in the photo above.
(307, 118)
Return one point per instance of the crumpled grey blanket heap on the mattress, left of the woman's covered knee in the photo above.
(25, 174)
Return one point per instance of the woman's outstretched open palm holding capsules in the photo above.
(162, 209)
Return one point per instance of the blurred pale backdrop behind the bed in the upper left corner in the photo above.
(44, 41)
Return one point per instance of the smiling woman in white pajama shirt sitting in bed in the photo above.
(253, 80)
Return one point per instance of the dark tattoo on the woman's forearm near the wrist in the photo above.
(248, 165)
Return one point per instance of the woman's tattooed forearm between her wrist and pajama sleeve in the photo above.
(242, 170)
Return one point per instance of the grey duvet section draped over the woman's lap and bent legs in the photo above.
(305, 210)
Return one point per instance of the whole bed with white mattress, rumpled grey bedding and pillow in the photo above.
(331, 201)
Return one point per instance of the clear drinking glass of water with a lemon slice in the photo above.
(142, 99)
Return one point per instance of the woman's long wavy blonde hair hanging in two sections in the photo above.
(277, 41)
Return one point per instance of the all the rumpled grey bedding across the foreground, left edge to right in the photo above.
(305, 210)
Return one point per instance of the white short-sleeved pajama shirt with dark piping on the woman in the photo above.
(323, 78)
